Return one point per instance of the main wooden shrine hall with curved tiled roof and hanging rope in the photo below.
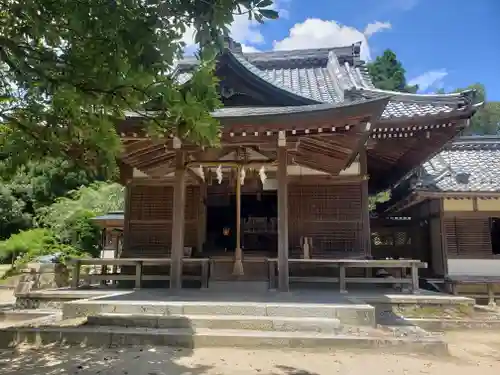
(306, 137)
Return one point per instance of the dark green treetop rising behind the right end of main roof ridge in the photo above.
(387, 73)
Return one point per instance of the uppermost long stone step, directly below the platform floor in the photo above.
(352, 314)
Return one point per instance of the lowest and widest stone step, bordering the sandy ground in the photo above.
(194, 338)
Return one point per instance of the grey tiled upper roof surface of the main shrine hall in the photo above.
(334, 76)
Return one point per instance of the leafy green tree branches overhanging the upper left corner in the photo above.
(70, 69)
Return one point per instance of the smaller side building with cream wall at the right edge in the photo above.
(455, 197)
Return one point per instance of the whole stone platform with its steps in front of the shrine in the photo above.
(308, 319)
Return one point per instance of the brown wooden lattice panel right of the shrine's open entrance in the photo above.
(330, 214)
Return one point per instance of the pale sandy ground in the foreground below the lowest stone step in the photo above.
(477, 352)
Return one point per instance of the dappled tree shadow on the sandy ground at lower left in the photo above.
(118, 356)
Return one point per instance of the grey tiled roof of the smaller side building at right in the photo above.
(468, 164)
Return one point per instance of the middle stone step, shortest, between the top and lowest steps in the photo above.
(258, 323)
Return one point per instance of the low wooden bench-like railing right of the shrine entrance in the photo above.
(342, 264)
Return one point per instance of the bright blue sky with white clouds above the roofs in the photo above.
(442, 43)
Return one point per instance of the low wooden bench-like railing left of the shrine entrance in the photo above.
(138, 275)
